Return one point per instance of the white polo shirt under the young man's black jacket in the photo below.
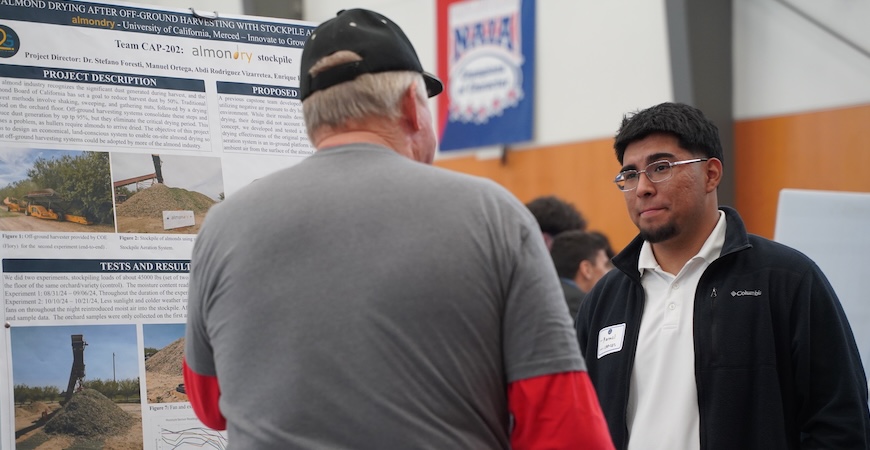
(663, 400)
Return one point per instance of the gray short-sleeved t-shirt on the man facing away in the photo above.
(363, 300)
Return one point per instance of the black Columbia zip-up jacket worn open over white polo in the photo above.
(776, 364)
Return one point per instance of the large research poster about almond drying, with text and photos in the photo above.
(120, 126)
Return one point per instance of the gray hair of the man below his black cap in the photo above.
(369, 95)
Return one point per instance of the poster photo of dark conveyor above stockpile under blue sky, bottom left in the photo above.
(76, 387)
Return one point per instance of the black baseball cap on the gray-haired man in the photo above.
(380, 42)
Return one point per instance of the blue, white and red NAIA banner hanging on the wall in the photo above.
(486, 59)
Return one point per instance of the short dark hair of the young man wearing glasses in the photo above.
(694, 131)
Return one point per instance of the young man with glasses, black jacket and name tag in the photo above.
(706, 336)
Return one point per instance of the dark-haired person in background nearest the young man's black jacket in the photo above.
(581, 260)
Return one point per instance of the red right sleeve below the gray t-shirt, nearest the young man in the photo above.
(558, 411)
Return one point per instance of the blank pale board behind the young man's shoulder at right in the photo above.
(831, 228)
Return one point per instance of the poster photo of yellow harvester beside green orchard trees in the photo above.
(55, 190)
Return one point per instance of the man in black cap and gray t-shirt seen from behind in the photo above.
(380, 303)
